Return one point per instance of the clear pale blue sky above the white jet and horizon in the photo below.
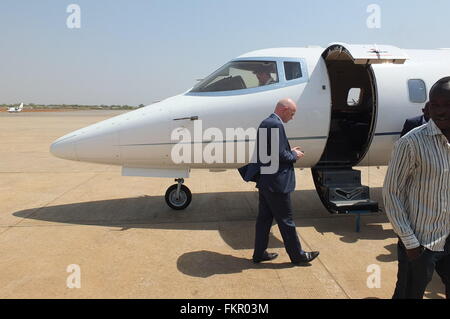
(133, 52)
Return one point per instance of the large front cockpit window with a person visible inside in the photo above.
(238, 75)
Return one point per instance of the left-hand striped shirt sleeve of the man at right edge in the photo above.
(395, 195)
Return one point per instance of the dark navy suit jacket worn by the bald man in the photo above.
(282, 181)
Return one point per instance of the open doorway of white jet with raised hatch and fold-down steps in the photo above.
(352, 124)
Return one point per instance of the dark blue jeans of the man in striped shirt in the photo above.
(414, 275)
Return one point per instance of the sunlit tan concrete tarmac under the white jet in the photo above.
(126, 243)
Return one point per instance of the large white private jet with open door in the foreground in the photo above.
(352, 103)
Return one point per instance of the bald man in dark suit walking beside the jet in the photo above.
(275, 188)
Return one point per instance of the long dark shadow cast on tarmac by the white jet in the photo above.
(232, 214)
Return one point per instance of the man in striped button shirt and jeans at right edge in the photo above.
(416, 196)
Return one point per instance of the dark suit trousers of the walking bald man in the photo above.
(278, 206)
